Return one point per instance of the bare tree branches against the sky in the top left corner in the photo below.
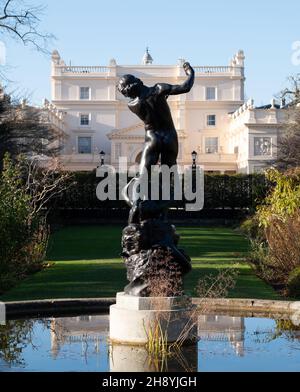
(21, 21)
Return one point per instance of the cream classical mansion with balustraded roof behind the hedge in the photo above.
(229, 134)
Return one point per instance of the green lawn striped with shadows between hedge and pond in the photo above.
(87, 264)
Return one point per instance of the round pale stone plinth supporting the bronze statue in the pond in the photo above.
(132, 318)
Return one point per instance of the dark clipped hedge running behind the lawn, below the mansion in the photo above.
(236, 192)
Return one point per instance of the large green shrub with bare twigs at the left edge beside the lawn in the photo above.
(25, 190)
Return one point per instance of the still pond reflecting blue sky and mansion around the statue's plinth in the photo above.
(226, 343)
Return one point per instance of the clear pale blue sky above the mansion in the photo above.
(203, 32)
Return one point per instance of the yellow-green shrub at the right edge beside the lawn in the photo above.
(275, 228)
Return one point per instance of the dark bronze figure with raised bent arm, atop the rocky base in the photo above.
(161, 142)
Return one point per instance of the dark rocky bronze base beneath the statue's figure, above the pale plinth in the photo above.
(155, 265)
